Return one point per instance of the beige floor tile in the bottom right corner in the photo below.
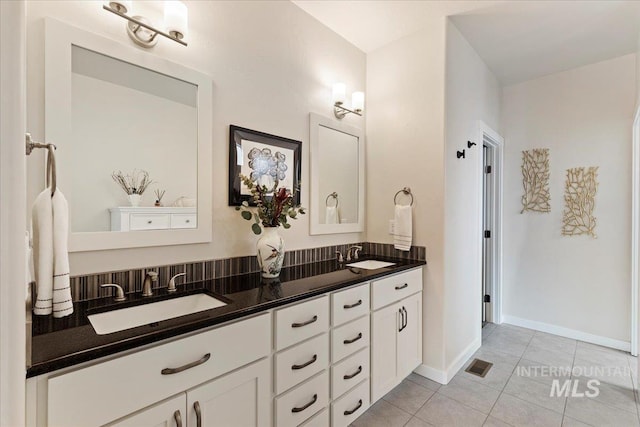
(591, 411)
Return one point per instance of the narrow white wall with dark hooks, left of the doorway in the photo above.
(472, 93)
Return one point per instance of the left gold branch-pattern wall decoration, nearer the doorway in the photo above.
(535, 180)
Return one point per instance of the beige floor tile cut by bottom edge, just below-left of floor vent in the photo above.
(443, 411)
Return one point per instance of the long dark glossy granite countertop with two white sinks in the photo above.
(59, 343)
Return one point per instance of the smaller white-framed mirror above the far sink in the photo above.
(337, 176)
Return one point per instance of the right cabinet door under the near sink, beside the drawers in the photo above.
(239, 399)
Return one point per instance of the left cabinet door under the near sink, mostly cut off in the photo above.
(170, 413)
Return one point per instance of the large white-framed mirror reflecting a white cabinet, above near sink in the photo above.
(111, 108)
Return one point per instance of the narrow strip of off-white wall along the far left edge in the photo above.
(12, 213)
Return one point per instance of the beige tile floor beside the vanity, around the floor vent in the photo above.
(517, 389)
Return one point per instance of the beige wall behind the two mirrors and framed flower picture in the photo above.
(271, 64)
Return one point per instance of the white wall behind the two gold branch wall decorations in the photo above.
(584, 117)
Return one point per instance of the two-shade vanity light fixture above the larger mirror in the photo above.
(141, 30)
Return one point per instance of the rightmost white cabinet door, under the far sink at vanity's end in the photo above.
(410, 336)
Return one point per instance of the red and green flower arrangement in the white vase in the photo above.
(274, 206)
